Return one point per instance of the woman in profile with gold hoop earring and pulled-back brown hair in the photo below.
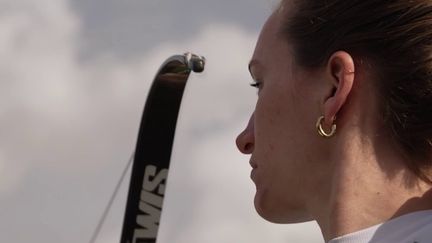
(342, 129)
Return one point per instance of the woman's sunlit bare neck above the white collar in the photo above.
(369, 186)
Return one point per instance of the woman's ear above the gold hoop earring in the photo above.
(340, 73)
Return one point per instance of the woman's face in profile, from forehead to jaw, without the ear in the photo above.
(281, 136)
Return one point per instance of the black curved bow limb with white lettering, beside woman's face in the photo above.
(153, 149)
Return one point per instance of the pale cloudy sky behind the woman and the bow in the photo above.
(74, 76)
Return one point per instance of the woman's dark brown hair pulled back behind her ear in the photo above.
(397, 36)
